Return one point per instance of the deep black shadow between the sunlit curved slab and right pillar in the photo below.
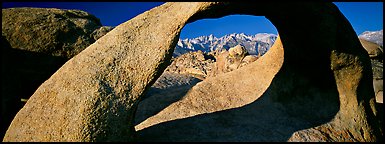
(302, 95)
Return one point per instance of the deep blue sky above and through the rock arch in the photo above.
(362, 15)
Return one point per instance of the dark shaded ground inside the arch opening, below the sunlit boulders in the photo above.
(156, 99)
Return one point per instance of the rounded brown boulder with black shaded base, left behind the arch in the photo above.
(36, 42)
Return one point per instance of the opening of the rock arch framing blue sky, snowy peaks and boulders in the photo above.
(203, 55)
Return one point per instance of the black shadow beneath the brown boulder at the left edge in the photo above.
(22, 72)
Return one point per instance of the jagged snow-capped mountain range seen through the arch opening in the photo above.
(255, 44)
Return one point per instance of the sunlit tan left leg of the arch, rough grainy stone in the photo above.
(93, 96)
